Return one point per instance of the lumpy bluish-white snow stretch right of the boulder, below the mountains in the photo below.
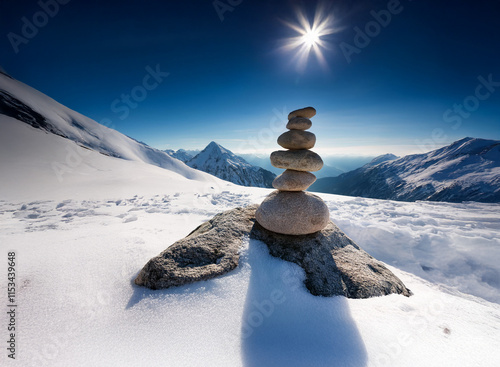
(452, 244)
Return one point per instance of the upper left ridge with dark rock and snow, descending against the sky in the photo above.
(19, 101)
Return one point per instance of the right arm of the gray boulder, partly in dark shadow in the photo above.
(333, 263)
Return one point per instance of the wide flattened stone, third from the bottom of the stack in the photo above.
(298, 160)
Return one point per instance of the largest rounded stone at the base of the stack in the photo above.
(294, 213)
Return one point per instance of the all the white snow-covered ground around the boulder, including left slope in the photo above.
(81, 241)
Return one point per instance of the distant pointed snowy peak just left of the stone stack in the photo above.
(222, 163)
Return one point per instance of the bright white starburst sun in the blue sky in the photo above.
(309, 39)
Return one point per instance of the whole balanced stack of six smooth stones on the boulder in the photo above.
(290, 210)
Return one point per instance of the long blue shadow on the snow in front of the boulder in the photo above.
(283, 324)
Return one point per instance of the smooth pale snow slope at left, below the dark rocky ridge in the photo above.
(35, 164)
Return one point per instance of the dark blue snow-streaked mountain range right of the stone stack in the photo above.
(467, 170)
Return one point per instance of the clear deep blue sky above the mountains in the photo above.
(228, 81)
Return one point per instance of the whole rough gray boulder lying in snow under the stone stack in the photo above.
(334, 265)
